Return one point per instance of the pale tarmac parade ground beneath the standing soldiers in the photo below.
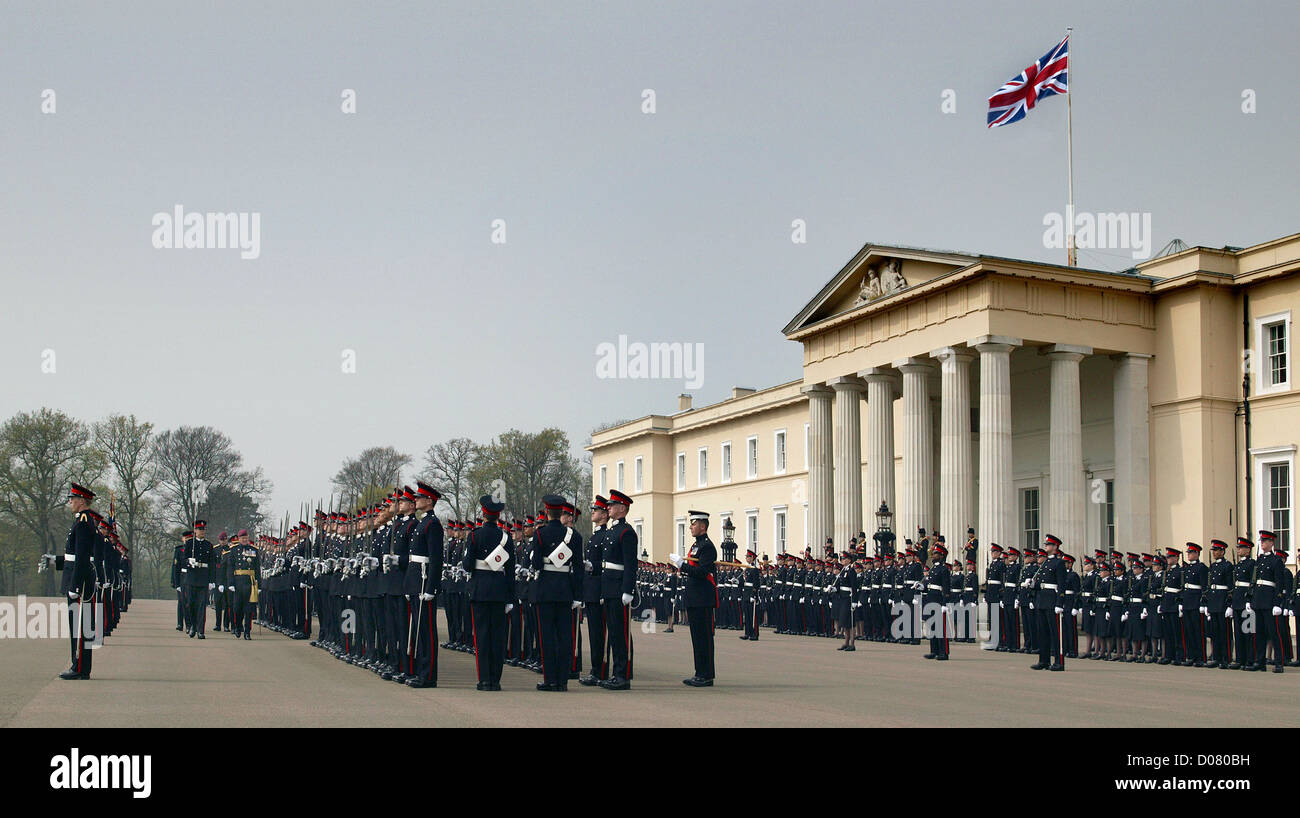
(150, 676)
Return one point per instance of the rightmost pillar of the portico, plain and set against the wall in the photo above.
(1133, 452)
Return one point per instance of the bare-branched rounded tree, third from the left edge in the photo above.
(194, 461)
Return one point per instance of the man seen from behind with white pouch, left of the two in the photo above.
(491, 564)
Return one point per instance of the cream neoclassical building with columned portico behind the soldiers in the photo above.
(1129, 410)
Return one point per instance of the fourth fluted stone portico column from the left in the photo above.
(916, 507)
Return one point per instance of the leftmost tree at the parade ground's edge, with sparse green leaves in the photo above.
(41, 455)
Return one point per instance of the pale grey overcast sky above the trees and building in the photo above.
(376, 244)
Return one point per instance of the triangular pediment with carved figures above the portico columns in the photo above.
(877, 272)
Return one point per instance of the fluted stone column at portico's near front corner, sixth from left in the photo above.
(996, 482)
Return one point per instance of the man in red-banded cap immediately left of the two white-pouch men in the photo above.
(423, 575)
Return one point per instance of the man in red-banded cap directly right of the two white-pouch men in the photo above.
(618, 582)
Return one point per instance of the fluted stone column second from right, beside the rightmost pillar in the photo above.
(1067, 503)
